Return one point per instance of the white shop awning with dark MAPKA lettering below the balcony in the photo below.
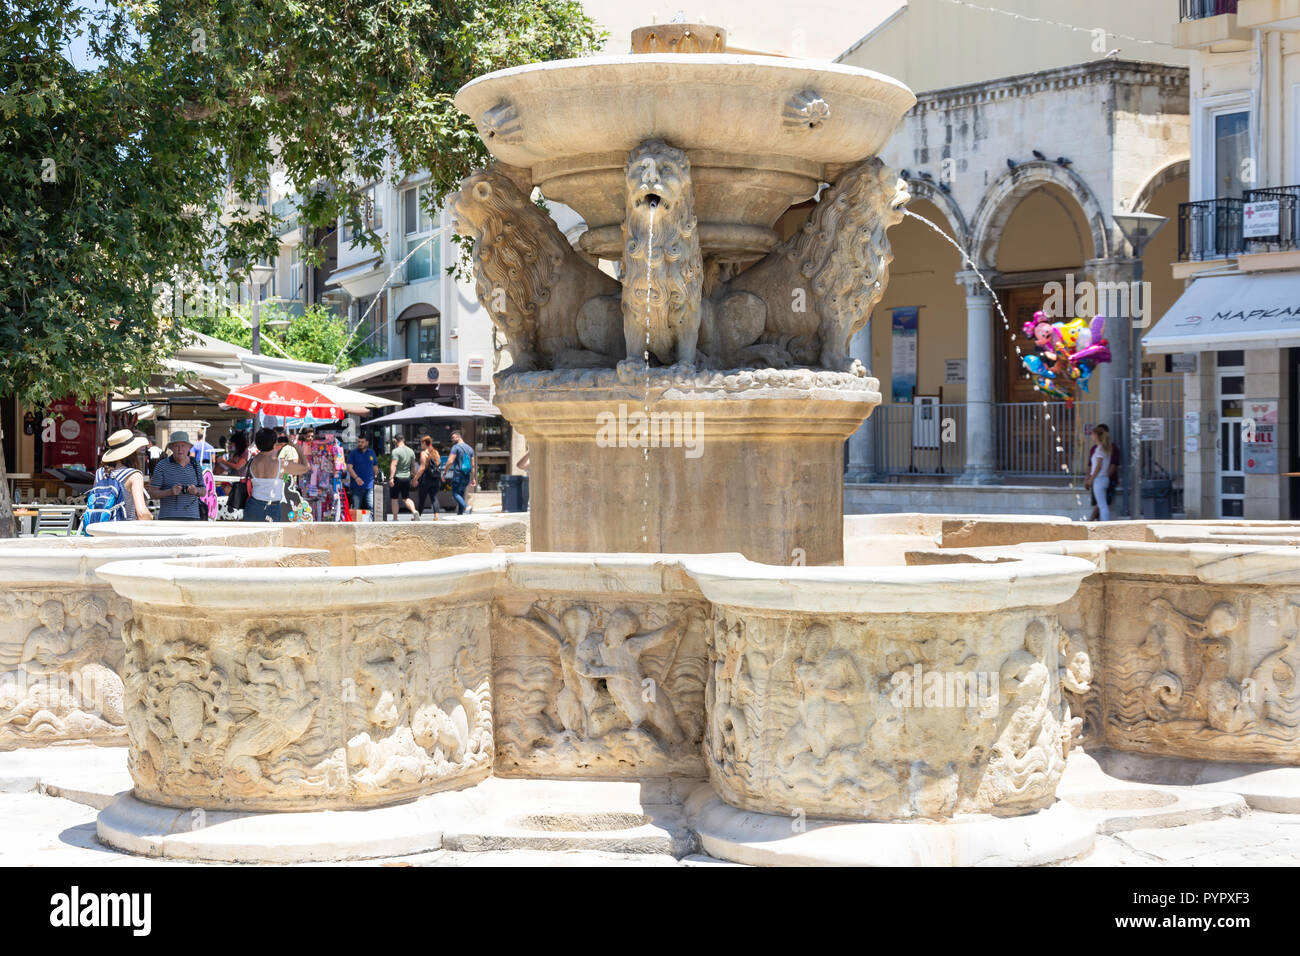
(1232, 313)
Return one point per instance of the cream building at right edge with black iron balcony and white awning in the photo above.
(1237, 327)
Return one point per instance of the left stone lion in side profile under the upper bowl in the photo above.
(551, 305)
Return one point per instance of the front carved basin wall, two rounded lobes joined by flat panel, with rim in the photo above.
(428, 676)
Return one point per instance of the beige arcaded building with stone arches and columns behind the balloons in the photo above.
(1024, 175)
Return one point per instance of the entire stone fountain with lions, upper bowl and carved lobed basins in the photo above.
(437, 687)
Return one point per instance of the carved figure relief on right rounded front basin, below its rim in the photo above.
(889, 717)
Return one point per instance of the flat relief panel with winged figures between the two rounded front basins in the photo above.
(587, 689)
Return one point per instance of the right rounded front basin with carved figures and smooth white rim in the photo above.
(912, 694)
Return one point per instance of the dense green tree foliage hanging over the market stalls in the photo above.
(118, 179)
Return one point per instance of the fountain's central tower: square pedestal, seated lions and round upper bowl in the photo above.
(703, 404)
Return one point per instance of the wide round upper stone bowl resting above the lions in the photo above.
(761, 132)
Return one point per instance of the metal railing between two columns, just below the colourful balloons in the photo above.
(1043, 439)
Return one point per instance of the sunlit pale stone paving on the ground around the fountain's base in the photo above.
(49, 802)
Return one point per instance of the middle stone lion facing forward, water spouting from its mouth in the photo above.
(662, 266)
